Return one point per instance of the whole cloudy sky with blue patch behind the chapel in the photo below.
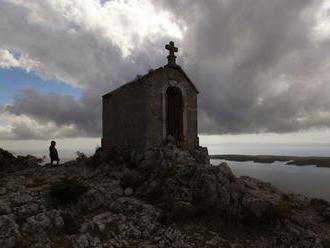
(262, 66)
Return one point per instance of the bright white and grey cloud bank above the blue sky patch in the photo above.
(80, 41)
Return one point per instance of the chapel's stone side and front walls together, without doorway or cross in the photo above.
(134, 116)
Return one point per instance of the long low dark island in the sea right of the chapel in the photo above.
(291, 160)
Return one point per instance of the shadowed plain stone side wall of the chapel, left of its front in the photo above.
(124, 122)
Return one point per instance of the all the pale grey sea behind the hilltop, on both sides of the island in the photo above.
(310, 181)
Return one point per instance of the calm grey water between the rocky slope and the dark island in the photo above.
(306, 180)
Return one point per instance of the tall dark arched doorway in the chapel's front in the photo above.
(174, 114)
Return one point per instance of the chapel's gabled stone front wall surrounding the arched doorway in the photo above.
(155, 111)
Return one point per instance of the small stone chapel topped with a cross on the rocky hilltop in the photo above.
(143, 113)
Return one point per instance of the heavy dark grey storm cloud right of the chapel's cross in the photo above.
(259, 68)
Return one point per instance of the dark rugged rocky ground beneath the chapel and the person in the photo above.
(162, 198)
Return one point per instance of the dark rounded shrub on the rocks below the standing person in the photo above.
(67, 190)
